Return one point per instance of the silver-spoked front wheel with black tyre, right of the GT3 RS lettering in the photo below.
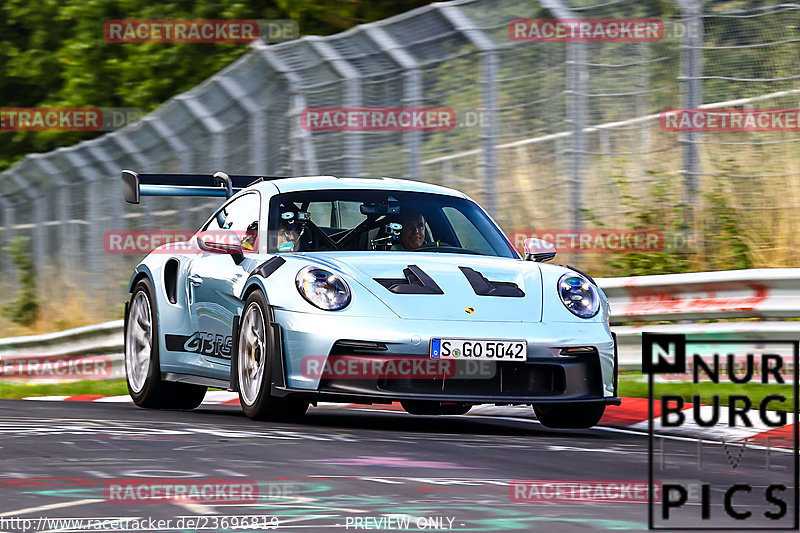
(255, 352)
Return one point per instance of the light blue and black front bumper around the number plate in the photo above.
(548, 376)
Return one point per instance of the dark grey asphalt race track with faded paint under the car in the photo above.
(450, 473)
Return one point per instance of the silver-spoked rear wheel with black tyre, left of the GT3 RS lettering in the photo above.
(142, 367)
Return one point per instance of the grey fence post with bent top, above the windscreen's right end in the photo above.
(489, 64)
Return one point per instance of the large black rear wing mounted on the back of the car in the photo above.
(135, 185)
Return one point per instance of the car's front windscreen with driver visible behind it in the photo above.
(369, 220)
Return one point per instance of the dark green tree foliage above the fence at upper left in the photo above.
(53, 53)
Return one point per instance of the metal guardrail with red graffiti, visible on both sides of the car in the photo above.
(757, 293)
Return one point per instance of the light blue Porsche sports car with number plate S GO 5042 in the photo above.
(306, 289)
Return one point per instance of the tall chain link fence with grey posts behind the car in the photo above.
(548, 134)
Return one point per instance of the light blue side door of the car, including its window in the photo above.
(216, 278)
